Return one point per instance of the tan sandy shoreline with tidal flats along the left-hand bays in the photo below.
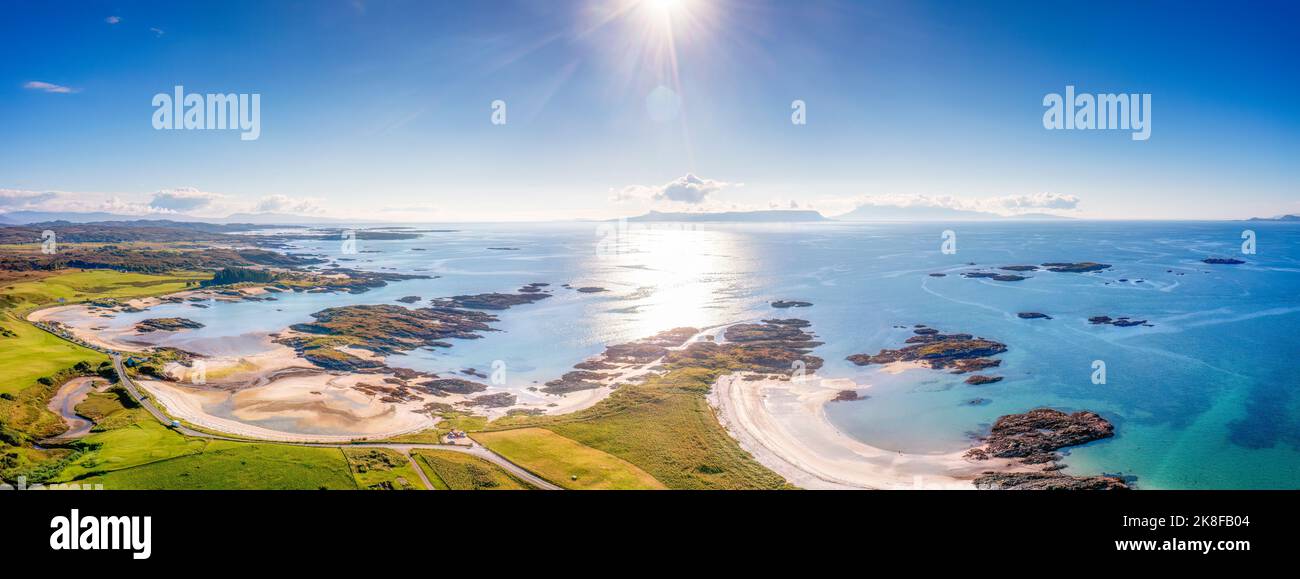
(276, 383)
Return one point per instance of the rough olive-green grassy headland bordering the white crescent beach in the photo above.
(666, 429)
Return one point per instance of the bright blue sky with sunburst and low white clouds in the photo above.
(383, 109)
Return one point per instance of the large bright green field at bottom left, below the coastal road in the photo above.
(239, 466)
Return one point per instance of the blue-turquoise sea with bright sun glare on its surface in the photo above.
(1206, 397)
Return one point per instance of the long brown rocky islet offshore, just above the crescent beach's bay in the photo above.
(959, 352)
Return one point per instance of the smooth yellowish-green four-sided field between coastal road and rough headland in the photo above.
(566, 463)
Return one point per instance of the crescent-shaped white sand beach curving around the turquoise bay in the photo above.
(783, 425)
